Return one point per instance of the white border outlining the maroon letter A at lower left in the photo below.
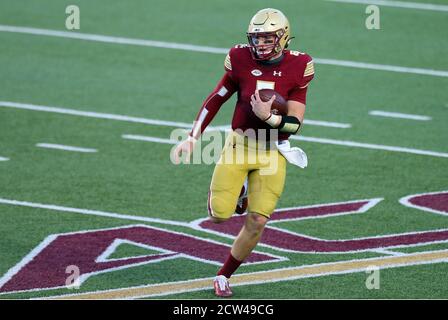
(19, 266)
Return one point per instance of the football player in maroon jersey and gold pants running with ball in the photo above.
(263, 63)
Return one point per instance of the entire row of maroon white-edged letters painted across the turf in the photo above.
(45, 266)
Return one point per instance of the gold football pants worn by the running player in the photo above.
(243, 157)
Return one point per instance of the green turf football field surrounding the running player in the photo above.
(64, 91)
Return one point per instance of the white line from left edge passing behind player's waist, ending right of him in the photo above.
(118, 117)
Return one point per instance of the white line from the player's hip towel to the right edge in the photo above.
(355, 144)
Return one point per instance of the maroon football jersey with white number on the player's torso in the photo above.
(289, 77)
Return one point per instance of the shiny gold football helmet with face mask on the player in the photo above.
(268, 33)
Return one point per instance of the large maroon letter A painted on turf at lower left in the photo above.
(47, 269)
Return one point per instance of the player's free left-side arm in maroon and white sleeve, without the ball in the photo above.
(226, 87)
